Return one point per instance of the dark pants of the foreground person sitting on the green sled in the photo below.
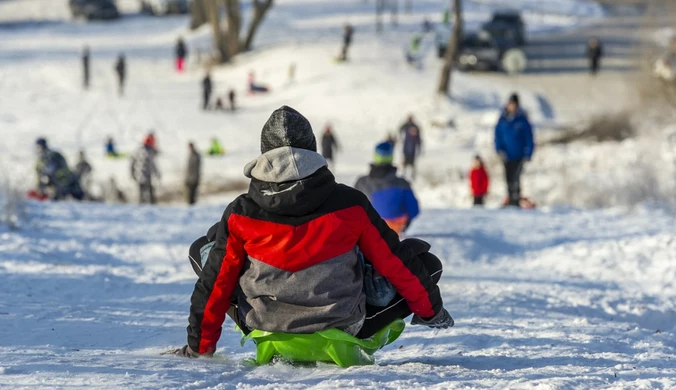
(377, 317)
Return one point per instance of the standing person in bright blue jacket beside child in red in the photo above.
(514, 144)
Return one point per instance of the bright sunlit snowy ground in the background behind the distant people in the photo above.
(39, 64)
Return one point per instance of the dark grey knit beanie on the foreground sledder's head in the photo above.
(287, 127)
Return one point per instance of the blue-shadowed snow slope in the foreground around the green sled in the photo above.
(564, 298)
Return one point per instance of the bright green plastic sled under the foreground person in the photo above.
(330, 345)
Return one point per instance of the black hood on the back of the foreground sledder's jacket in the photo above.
(293, 198)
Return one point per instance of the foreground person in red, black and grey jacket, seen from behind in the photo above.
(296, 223)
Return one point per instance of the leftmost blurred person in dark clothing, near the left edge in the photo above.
(55, 179)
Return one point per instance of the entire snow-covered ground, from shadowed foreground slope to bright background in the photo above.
(90, 295)
